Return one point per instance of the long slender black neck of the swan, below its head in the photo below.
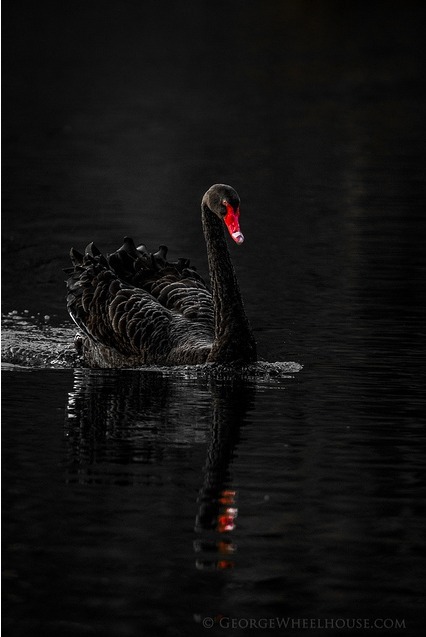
(233, 336)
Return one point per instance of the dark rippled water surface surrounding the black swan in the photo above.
(142, 502)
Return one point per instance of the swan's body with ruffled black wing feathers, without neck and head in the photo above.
(133, 307)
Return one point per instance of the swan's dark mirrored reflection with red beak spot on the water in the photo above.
(120, 421)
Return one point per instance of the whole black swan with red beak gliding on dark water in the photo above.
(134, 308)
